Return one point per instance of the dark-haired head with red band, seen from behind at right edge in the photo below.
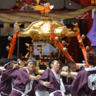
(91, 57)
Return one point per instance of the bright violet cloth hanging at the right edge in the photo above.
(92, 34)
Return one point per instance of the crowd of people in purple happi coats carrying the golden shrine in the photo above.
(17, 81)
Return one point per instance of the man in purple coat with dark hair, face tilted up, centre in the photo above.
(51, 81)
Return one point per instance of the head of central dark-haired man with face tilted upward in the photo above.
(54, 64)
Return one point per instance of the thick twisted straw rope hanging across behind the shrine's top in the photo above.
(31, 17)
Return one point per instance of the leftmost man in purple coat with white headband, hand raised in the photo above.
(9, 73)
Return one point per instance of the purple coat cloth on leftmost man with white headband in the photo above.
(7, 76)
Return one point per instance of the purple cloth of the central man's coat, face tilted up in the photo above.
(49, 76)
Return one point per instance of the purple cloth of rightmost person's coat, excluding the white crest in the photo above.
(79, 86)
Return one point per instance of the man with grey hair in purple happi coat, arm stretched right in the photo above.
(24, 85)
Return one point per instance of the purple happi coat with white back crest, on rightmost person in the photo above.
(85, 83)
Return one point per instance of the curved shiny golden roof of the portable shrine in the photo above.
(40, 30)
